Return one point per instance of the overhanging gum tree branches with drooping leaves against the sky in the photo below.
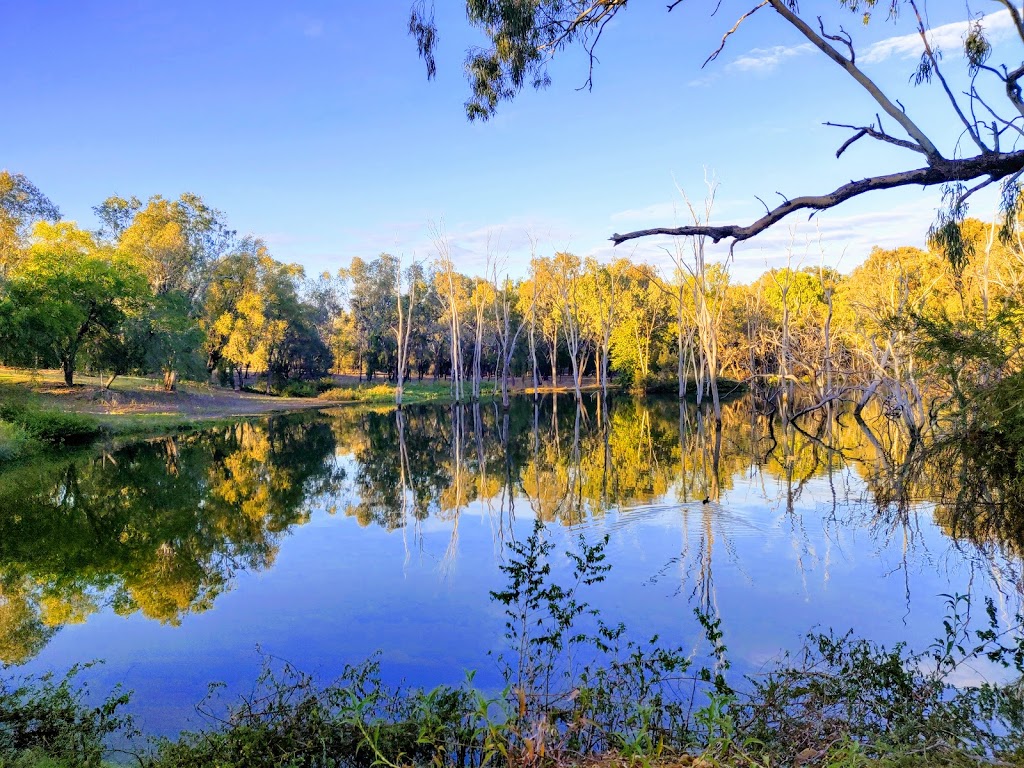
(525, 36)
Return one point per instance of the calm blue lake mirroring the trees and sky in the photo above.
(322, 539)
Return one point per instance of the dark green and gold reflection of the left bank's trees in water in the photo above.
(159, 529)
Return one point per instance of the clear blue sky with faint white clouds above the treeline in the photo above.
(312, 124)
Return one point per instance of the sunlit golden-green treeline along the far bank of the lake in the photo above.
(167, 287)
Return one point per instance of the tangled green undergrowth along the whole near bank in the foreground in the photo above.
(579, 692)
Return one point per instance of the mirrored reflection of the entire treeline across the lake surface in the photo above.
(162, 529)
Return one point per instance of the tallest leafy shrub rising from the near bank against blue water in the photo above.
(580, 687)
